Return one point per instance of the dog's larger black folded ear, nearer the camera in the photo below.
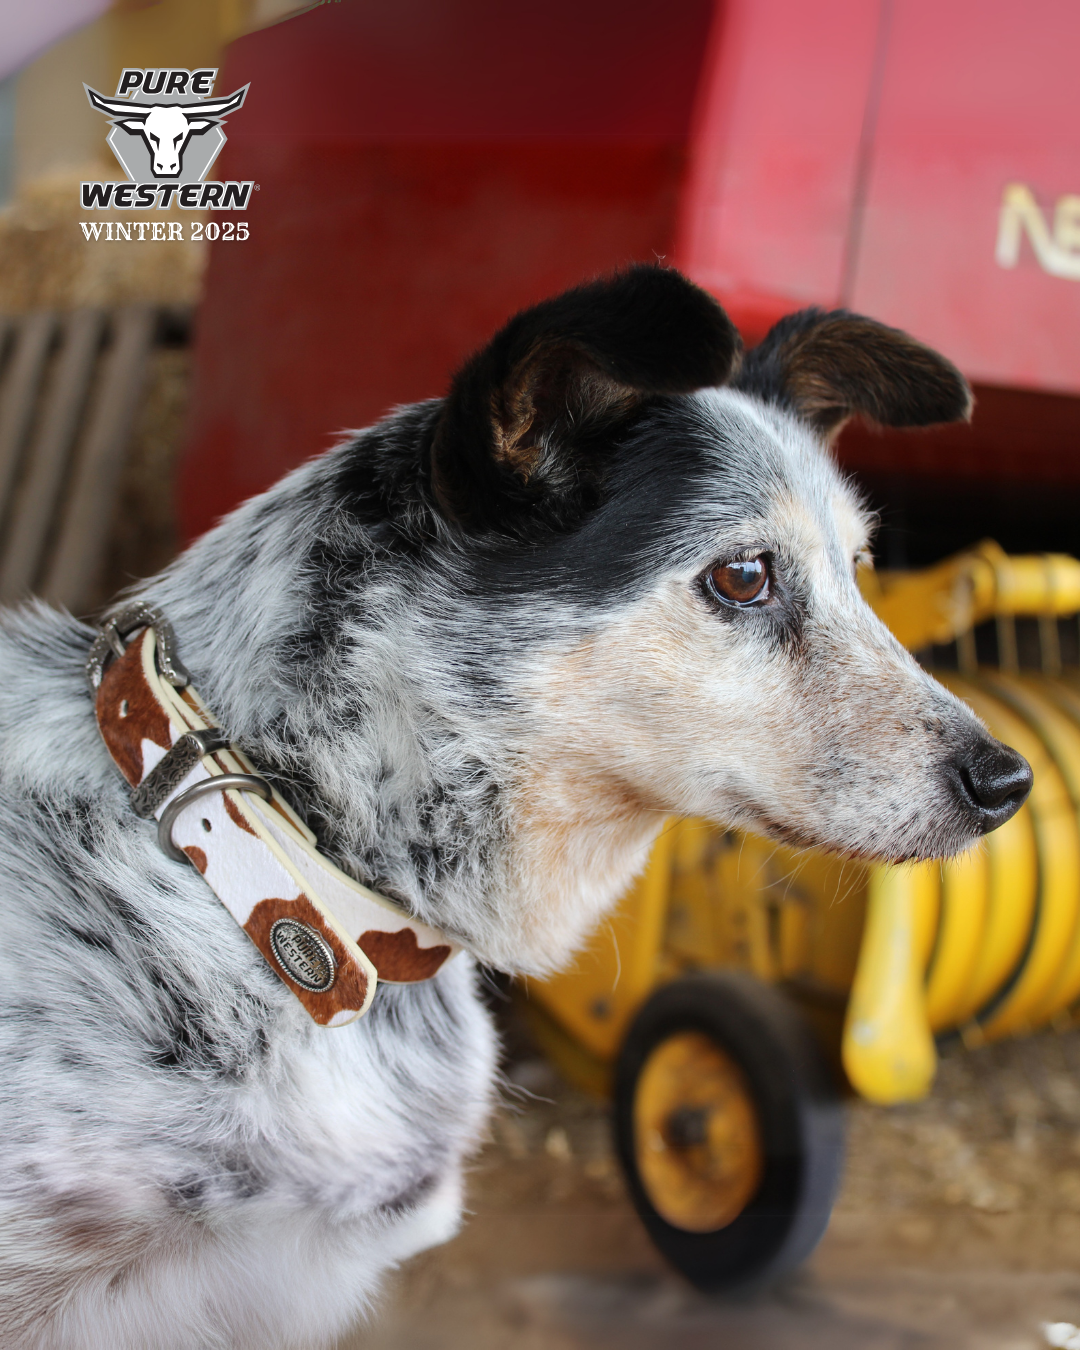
(529, 419)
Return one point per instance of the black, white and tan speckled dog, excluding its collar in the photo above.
(483, 649)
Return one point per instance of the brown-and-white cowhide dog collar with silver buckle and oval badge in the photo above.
(327, 938)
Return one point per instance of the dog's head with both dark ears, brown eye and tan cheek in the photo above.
(662, 527)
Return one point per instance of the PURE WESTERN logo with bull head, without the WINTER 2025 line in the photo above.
(167, 142)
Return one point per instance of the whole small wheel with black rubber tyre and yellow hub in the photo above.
(730, 1128)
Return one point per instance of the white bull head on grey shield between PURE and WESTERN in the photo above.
(165, 130)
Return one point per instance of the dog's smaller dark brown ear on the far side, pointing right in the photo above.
(827, 367)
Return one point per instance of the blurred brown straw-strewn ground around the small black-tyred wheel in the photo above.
(958, 1229)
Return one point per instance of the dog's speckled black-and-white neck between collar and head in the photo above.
(403, 753)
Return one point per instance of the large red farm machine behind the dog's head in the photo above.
(425, 169)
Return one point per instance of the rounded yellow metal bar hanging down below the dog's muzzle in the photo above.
(889, 1052)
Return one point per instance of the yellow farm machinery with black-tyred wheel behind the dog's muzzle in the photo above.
(692, 1005)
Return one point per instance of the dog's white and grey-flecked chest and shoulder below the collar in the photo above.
(190, 1160)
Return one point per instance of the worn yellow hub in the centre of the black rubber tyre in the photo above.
(697, 1136)
